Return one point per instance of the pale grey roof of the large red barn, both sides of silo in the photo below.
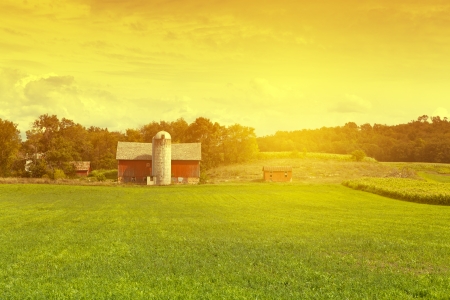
(143, 151)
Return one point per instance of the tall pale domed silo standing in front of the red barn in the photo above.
(162, 158)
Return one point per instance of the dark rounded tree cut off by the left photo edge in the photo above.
(10, 142)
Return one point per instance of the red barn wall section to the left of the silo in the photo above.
(134, 170)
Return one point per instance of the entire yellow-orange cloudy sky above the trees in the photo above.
(270, 65)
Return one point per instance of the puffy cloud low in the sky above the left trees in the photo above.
(24, 97)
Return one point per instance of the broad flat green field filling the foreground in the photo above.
(229, 241)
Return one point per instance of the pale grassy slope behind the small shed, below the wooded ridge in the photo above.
(327, 168)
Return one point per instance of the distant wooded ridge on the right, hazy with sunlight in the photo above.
(426, 139)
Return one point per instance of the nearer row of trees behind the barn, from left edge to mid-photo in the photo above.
(53, 144)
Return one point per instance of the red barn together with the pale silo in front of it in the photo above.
(159, 162)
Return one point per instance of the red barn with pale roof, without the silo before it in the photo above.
(135, 162)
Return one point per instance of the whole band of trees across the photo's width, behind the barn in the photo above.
(52, 143)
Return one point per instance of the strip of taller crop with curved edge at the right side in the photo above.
(404, 189)
